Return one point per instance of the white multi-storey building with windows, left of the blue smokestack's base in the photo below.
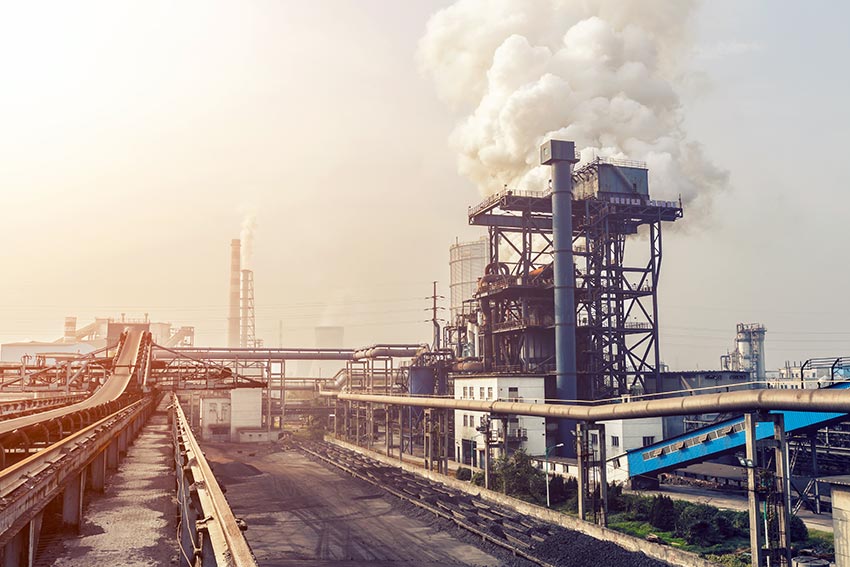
(524, 432)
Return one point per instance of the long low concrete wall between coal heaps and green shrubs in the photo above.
(630, 543)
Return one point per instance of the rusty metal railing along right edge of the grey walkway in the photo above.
(209, 533)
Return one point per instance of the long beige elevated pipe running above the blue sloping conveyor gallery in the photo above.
(812, 400)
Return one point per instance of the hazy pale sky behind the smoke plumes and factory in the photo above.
(134, 137)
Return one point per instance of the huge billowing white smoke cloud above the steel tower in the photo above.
(599, 72)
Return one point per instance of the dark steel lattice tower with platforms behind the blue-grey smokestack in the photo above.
(615, 296)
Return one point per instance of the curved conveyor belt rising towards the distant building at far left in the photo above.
(111, 390)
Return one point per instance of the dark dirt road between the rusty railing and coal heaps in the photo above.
(301, 513)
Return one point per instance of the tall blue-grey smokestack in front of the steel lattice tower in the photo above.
(561, 156)
